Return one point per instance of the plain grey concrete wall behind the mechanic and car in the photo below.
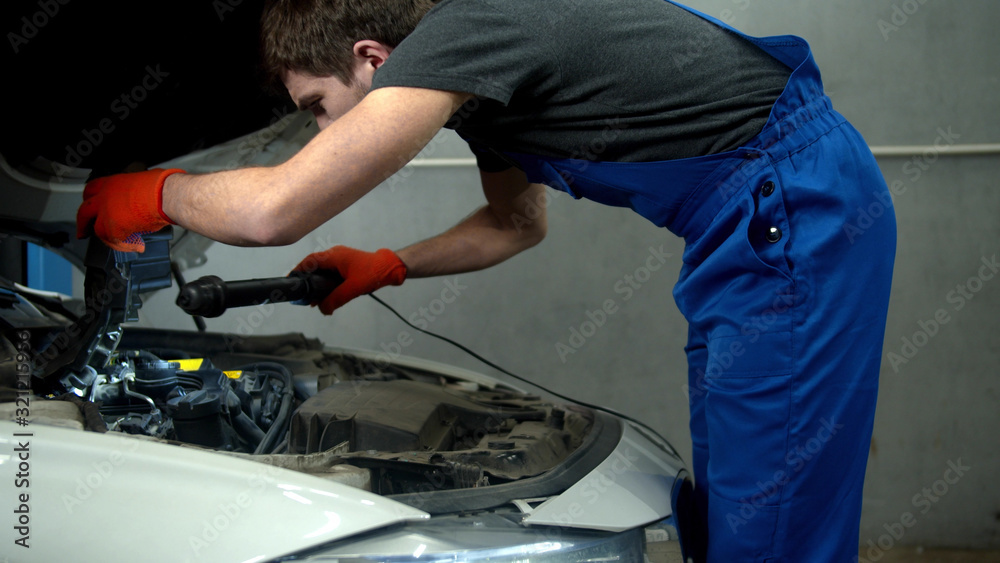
(934, 69)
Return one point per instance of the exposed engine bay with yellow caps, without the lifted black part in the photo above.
(389, 429)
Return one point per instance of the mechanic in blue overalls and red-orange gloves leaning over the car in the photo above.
(725, 140)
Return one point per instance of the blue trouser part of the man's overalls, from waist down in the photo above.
(784, 351)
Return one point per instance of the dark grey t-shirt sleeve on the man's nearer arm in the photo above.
(476, 46)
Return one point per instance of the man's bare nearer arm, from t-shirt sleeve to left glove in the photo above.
(279, 205)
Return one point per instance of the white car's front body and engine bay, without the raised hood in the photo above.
(128, 444)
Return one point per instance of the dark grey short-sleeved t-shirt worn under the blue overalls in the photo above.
(601, 80)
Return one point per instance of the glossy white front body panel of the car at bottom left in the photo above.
(153, 502)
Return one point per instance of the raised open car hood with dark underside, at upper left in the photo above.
(106, 90)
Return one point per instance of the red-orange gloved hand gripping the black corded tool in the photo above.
(363, 272)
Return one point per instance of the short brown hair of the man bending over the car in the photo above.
(317, 37)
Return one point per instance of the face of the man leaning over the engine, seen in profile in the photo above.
(325, 96)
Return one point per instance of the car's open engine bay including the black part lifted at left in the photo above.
(392, 428)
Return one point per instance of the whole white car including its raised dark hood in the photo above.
(126, 444)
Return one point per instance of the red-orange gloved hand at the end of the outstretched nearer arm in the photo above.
(118, 208)
